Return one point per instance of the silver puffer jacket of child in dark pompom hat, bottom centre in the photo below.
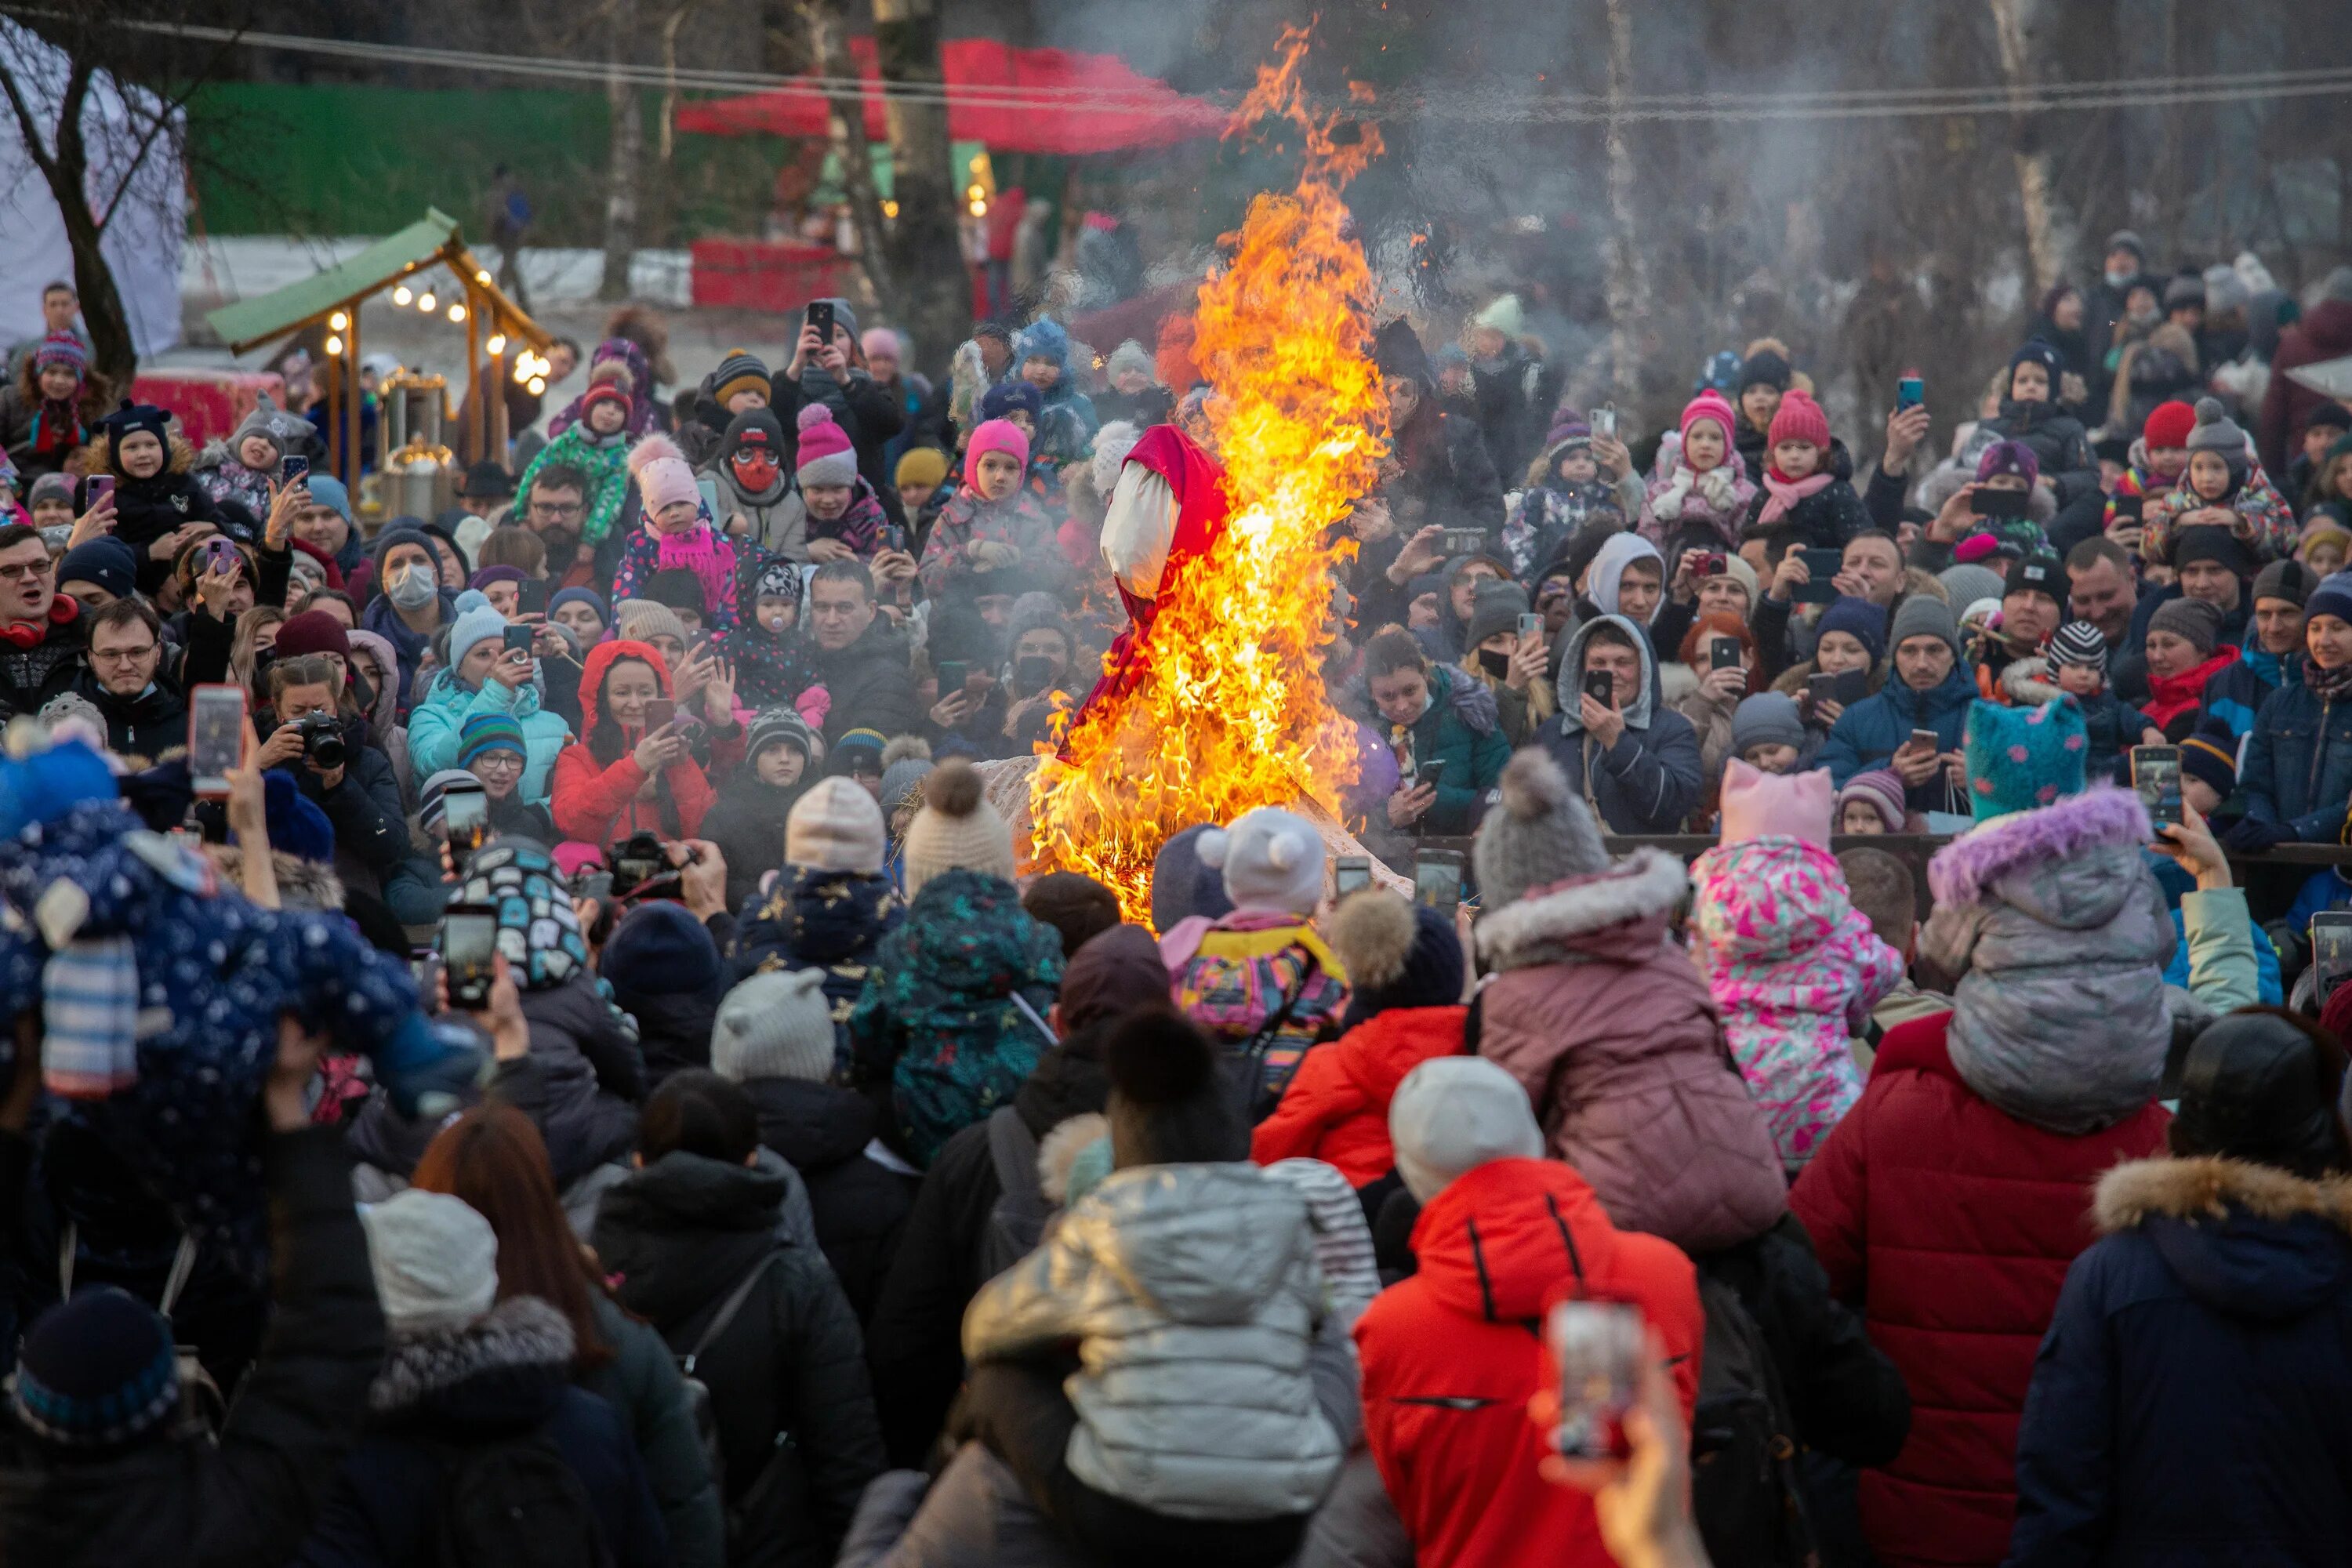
(1196, 1296)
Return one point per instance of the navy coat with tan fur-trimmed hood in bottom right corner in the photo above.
(2217, 1304)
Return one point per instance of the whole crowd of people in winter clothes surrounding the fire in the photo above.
(834, 1191)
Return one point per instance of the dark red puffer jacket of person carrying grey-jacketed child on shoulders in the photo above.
(1953, 1226)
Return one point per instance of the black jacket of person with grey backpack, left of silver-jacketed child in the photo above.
(916, 1334)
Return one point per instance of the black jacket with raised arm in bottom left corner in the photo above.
(250, 1499)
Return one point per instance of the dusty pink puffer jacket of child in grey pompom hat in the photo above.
(1615, 1038)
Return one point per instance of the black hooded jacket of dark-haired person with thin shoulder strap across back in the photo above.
(681, 1235)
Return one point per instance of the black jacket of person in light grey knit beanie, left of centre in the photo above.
(860, 1205)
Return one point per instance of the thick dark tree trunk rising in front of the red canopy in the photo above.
(926, 260)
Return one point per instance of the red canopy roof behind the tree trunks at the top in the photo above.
(1013, 100)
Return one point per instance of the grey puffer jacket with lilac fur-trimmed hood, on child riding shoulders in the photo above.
(2059, 939)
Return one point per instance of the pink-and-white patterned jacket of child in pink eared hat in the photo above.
(1796, 970)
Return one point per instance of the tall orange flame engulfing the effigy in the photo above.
(1231, 709)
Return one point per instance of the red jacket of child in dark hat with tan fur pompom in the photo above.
(1337, 1106)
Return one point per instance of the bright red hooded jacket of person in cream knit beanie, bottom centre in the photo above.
(1455, 1353)
